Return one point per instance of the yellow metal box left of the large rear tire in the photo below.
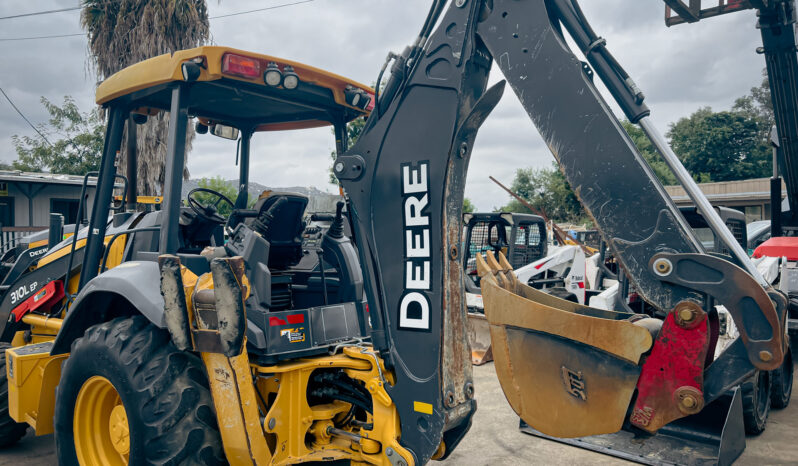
(31, 388)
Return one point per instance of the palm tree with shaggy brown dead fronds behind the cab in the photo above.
(124, 32)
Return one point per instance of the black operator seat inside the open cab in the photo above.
(284, 227)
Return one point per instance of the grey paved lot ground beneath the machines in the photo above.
(494, 439)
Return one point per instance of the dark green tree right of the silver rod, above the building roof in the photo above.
(721, 146)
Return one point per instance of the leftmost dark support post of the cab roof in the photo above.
(103, 196)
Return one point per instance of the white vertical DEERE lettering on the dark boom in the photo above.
(414, 307)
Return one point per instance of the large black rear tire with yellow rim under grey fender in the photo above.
(128, 396)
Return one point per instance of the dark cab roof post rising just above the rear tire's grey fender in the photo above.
(175, 162)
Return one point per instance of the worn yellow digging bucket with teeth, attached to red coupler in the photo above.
(559, 362)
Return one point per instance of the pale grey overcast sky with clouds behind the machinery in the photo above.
(680, 69)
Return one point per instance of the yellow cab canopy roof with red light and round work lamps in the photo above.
(242, 89)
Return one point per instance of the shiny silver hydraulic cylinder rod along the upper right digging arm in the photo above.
(701, 202)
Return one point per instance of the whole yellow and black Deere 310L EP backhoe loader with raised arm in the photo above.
(186, 349)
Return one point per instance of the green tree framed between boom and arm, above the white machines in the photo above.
(546, 189)
